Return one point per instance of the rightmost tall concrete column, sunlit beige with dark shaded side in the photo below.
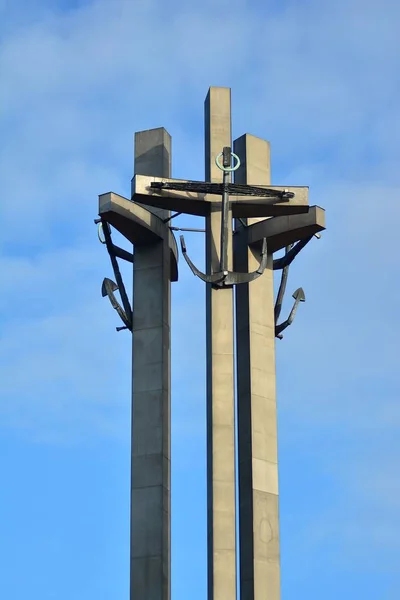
(256, 389)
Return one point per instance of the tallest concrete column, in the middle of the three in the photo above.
(220, 373)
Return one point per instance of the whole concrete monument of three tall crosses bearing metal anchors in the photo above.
(246, 221)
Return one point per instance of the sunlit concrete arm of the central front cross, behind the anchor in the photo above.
(163, 193)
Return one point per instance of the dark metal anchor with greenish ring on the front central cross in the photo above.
(224, 277)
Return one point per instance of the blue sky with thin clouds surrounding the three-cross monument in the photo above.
(320, 80)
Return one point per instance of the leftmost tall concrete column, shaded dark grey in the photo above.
(151, 402)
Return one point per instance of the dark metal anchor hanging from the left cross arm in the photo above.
(109, 286)
